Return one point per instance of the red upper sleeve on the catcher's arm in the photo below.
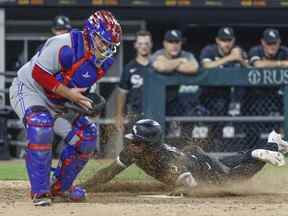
(44, 79)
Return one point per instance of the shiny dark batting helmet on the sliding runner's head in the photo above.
(145, 130)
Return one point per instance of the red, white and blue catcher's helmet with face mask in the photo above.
(105, 25)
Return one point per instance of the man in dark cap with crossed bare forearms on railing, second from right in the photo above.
(222, 100)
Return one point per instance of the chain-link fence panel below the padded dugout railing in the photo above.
(223, 119)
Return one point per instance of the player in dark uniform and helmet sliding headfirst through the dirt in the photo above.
(187, 169)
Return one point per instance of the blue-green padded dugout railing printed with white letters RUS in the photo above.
(155, 93)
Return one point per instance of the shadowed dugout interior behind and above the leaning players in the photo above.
(25, 24)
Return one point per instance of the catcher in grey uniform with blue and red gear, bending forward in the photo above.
(52, 81)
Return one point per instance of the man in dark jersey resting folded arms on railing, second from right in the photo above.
(223, 54)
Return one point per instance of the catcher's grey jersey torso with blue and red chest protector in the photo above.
(63, 57)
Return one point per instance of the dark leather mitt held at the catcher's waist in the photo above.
(98, 103)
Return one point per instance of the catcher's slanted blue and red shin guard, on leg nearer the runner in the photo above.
(82, 144)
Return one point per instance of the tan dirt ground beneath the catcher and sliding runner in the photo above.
(252, 198)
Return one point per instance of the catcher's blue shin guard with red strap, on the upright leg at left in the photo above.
(39, 128)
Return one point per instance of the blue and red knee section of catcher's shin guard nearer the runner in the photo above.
(83, 136)
